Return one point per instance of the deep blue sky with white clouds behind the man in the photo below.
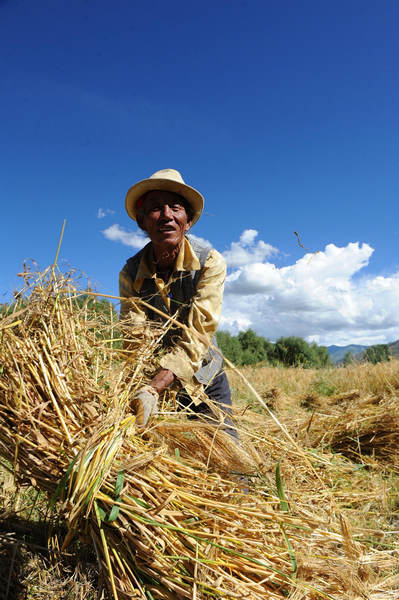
(283, 114)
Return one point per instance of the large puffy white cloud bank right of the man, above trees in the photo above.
(321, 297)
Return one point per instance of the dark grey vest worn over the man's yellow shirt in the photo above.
(182, 292)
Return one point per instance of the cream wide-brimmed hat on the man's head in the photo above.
(168, 180)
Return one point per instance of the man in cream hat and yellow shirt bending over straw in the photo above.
(184, 278)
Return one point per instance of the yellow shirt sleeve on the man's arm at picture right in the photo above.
(185, 358)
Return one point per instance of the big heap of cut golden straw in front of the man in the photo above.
(166, 511)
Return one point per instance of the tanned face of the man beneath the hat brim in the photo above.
(164, 219)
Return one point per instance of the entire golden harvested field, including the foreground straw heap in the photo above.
(166, 513)
